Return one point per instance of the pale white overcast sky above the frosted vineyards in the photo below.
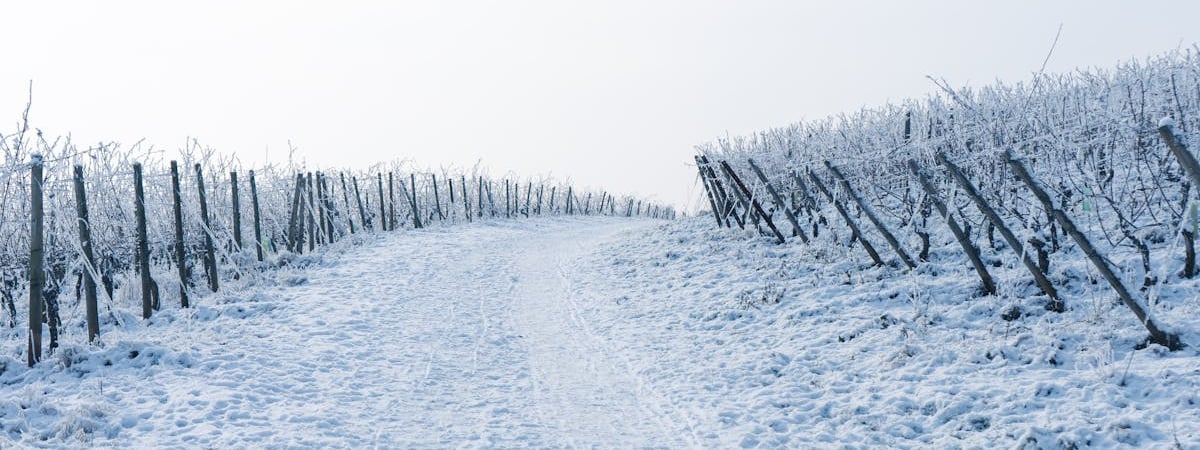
(609, 94)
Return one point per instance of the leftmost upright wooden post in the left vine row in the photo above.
(37, 256)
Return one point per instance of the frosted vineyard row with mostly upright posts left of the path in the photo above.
(107, 235)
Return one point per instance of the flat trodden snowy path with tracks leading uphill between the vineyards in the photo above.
(460, 338)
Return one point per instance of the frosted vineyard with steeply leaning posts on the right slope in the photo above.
(1091, 166)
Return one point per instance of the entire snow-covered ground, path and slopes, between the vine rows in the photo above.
(611, 333)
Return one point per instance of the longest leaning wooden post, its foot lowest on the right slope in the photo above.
(1159, 337)
